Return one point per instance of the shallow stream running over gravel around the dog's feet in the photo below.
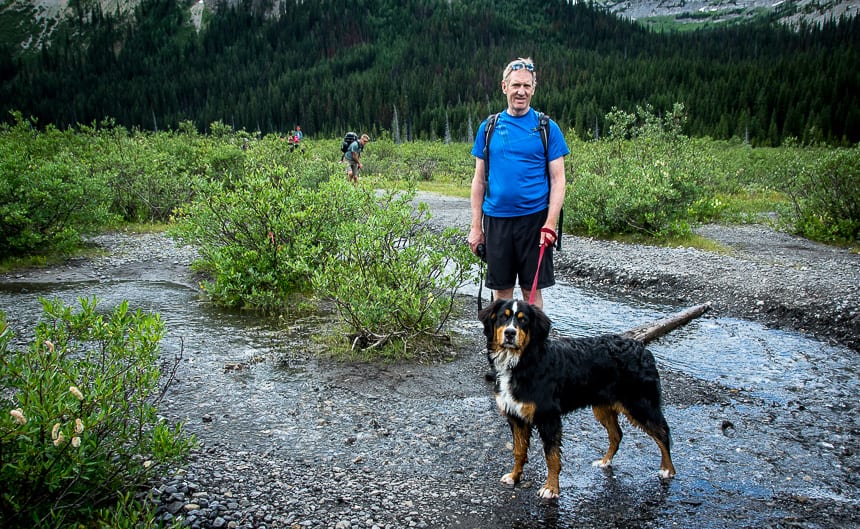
(765, 422)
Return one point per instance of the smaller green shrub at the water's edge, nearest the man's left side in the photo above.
(393, 279)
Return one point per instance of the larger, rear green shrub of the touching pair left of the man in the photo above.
(261, 238)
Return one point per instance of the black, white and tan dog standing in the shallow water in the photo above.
(538, 380)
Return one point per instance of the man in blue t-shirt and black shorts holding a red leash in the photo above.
(519, 199)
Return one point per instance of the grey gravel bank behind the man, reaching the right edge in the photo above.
(761, 274)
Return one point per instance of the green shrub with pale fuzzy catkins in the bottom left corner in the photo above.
(79, 426)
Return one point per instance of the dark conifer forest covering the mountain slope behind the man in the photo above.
(428, 69)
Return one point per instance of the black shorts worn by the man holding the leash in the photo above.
(513, 248)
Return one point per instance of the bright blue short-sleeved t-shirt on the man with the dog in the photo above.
(518, 184)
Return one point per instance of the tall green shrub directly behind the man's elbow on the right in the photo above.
(644, 178)
